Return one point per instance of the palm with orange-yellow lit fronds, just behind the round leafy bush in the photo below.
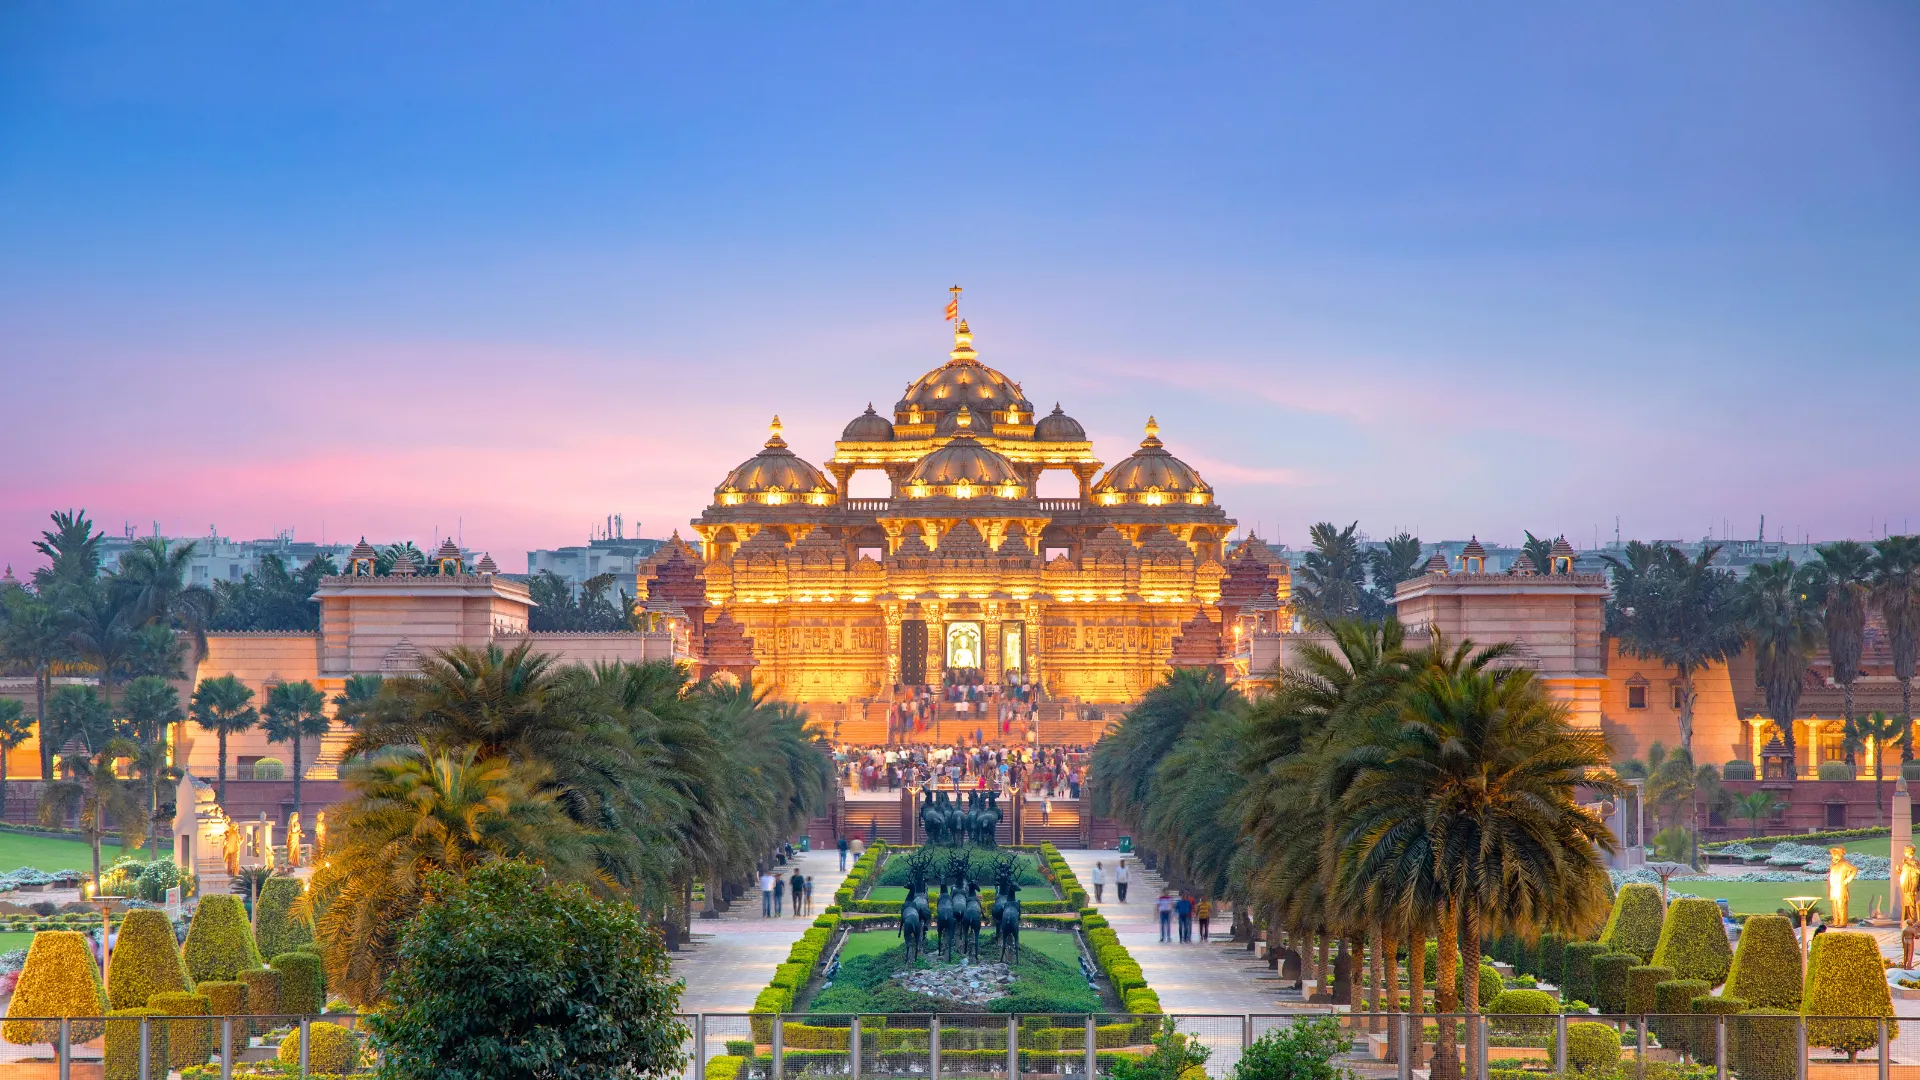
(410, 816)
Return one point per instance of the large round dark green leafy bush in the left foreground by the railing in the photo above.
(481, 973)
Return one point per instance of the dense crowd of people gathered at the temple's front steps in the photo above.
(1047, 772)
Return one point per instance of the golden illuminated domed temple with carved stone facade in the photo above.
(963, 568)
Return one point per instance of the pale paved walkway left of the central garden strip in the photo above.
(731, 958)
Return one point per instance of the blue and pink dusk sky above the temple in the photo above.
(504, 270)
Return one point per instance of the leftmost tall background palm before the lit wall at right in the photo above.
(1677, 612)
